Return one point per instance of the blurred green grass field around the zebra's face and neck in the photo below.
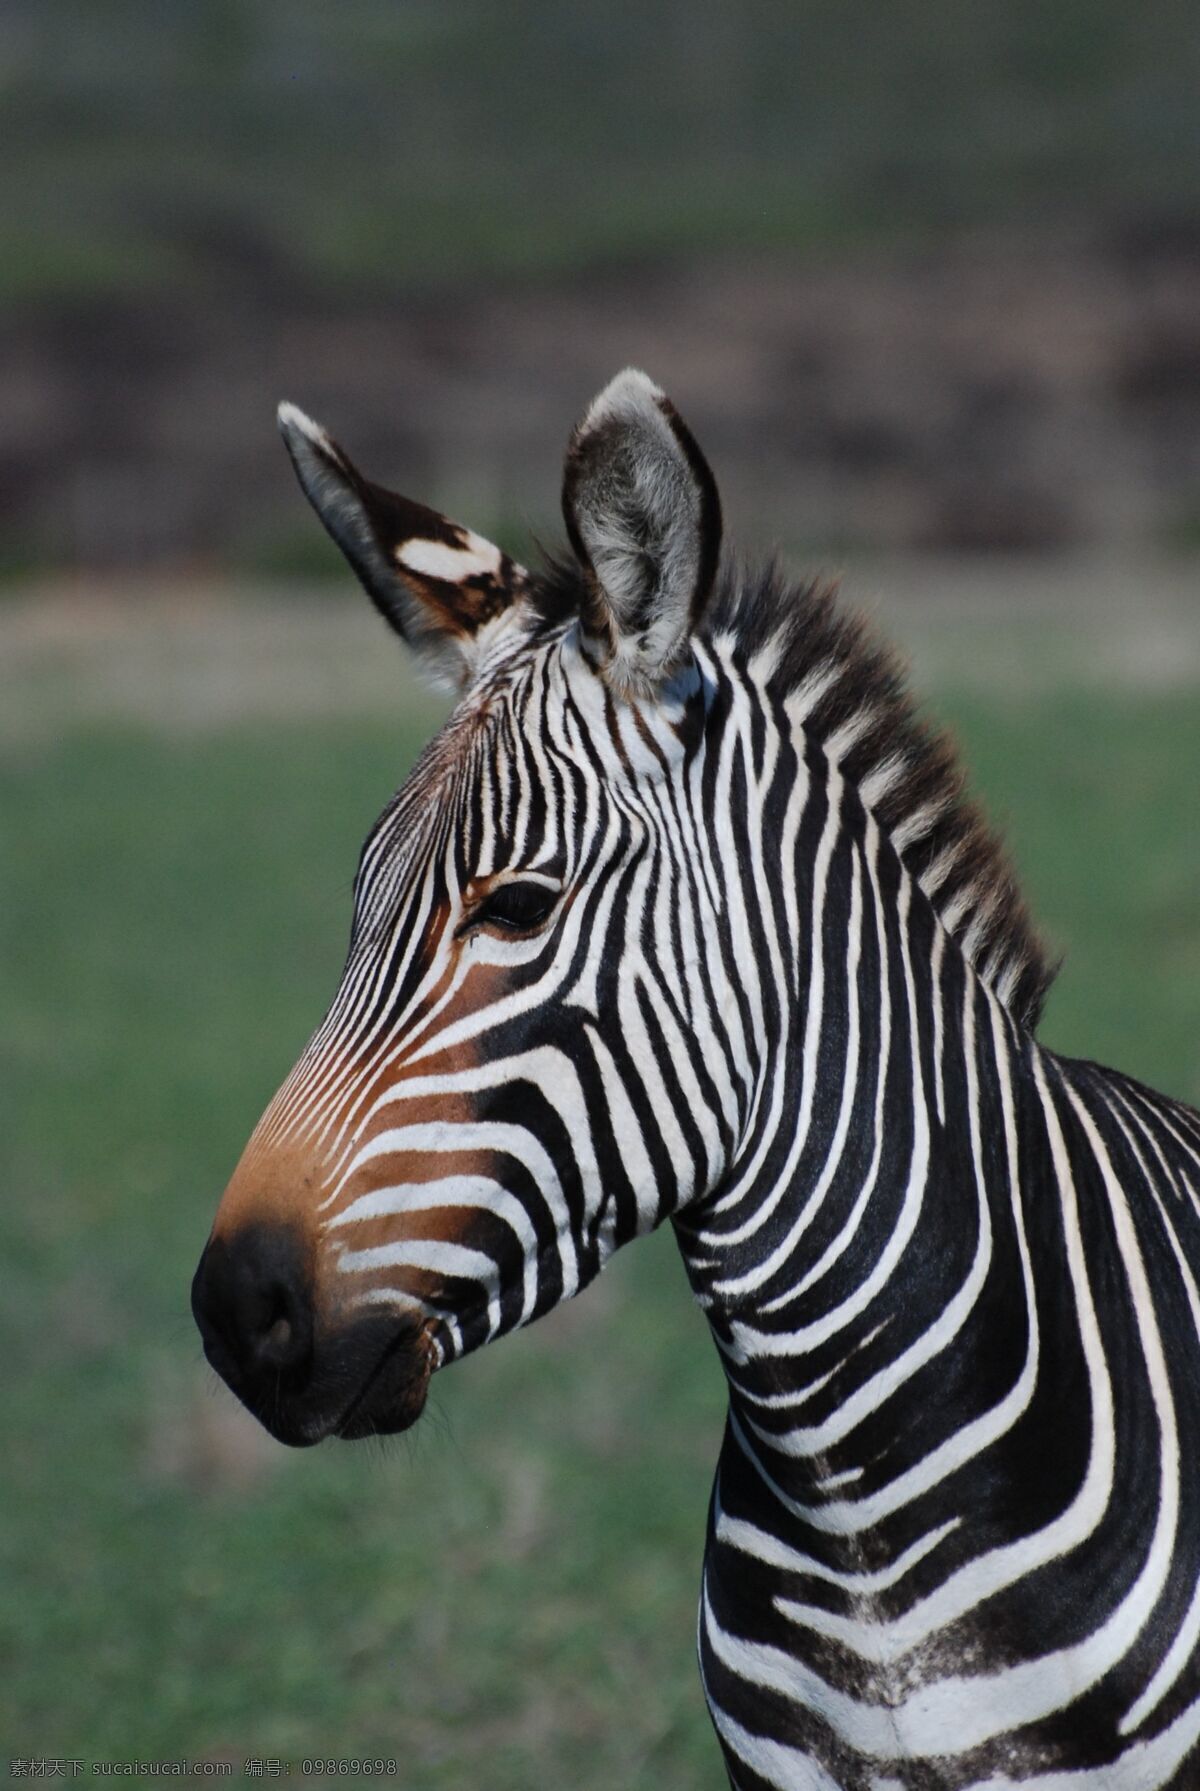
(508, 1597)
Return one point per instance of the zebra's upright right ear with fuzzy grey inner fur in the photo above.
(644, 517)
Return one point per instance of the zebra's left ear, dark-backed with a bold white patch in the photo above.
(436, 583)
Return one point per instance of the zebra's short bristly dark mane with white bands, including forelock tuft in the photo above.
(850, 694)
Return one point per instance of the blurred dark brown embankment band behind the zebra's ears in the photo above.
(1000, 395)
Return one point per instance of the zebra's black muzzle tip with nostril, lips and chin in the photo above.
(302, 1375)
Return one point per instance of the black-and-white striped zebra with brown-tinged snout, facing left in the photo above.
(685, 916)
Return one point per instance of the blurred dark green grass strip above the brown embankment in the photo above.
(393, 144)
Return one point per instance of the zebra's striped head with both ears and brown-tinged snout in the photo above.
(513, 1079)
